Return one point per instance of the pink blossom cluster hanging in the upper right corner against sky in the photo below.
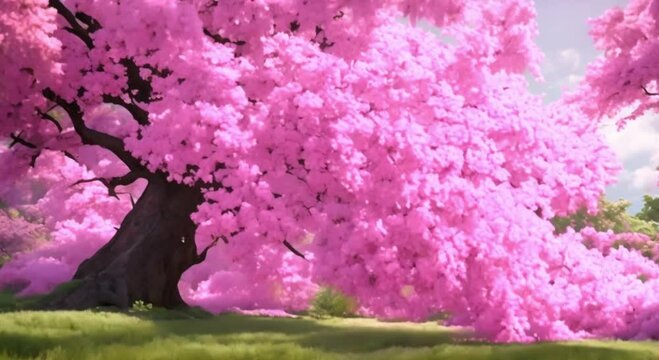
(626, 75)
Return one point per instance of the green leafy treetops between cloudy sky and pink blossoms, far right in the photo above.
(611, 216)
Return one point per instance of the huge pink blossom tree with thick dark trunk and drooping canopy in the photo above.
(324, 140)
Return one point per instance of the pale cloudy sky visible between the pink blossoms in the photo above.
(568, 49)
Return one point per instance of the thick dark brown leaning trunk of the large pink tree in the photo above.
(146, 257)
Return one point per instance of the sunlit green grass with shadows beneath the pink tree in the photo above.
(188, 334)
